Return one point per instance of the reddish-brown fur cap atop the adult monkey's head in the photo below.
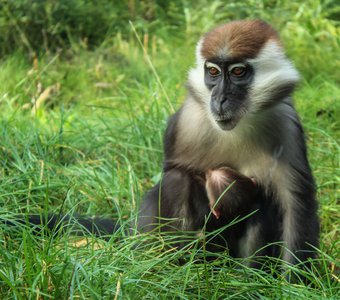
(237, 39)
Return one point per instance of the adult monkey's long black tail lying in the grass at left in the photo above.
(54, 224)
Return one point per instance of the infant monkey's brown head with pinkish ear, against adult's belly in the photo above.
(230, 193)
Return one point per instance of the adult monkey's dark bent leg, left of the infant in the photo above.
(177, 202)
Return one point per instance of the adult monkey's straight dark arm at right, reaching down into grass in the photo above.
(300, 222)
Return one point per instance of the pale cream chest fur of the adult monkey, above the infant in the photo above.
(202, 145)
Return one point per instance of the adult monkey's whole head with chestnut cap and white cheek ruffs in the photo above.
(241, 69)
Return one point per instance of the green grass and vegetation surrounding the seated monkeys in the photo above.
(83, 108)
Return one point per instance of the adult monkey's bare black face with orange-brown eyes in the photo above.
(229, 83)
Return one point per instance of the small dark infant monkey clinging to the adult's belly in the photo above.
(232, 197)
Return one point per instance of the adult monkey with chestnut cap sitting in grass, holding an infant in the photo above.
(239, 114)
